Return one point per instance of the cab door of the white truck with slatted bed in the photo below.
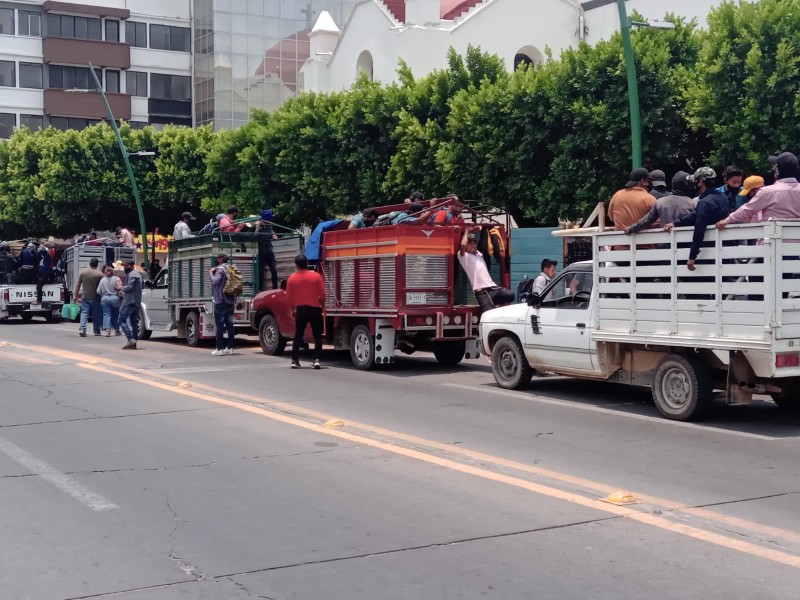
(557, 331)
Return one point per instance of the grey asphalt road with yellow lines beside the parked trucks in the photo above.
(168, 473)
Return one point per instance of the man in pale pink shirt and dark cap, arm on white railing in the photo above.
(780, 200)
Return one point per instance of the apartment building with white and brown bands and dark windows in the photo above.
(141, 51)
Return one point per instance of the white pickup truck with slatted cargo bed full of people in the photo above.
(637, 315)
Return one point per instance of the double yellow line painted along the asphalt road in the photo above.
(203, 392)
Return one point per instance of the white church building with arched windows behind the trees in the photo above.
(378, 33)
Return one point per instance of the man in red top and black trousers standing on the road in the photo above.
(305, 292)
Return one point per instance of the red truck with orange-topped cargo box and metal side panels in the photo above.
(391, 287)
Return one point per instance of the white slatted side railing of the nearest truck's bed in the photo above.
(744, 293)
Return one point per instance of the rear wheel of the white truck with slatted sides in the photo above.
(682, 388)
